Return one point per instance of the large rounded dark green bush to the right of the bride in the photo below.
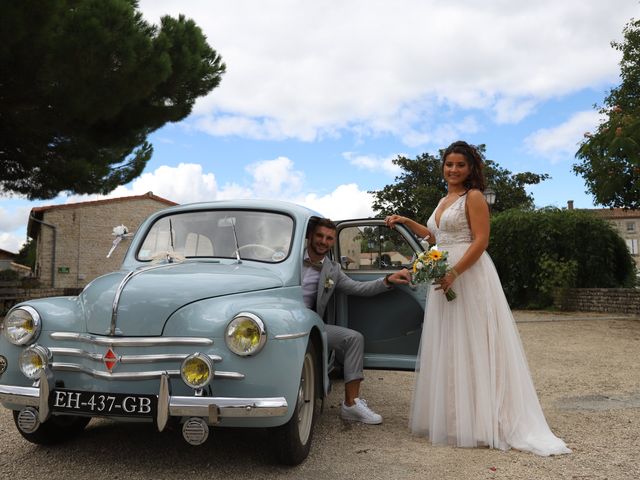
(538, 251)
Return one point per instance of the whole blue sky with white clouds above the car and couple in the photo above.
(319, 97)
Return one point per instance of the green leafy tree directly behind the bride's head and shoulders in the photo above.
(420, 186)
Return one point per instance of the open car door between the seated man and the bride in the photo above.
(391, 322)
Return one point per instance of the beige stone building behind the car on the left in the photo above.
(72, 240)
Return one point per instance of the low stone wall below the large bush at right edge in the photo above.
(613, 300)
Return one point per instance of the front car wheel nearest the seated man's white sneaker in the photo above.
(293, 439)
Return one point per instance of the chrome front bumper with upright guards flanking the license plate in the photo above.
(211, 408)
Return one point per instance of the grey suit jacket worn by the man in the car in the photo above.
(332, 278)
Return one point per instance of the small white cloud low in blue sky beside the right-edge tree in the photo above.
(562, 141)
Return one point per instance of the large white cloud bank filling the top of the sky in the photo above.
(305, 70)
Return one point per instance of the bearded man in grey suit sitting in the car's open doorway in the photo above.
(320, 278)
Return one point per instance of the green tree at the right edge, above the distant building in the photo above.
(610, 157)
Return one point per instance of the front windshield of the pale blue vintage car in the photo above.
(262, 236)
